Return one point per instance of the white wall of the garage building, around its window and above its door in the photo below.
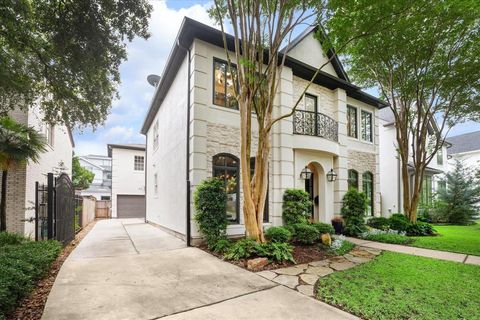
(126, 178)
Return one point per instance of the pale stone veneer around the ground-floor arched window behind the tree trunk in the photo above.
(222, 138)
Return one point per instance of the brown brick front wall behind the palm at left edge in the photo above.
(16, 187)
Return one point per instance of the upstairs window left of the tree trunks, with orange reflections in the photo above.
(223, 85)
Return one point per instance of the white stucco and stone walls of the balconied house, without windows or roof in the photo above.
(215, 130)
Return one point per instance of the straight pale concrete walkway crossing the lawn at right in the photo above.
(429, 253)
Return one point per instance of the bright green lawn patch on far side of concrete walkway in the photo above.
(462, 239)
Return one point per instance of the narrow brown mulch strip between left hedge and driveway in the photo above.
(31, 308)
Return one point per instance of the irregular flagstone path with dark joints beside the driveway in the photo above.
(303, 277)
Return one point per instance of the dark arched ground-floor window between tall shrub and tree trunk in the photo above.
(226, 167)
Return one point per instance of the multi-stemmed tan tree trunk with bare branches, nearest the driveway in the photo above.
(260, 30)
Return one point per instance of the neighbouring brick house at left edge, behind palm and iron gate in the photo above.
(21, 180)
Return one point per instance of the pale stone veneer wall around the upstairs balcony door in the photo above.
(325, 96)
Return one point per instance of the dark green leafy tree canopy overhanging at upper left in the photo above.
(66, 55)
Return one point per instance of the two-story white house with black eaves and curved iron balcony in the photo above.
(192, 116)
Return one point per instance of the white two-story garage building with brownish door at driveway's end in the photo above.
(128, 180)
